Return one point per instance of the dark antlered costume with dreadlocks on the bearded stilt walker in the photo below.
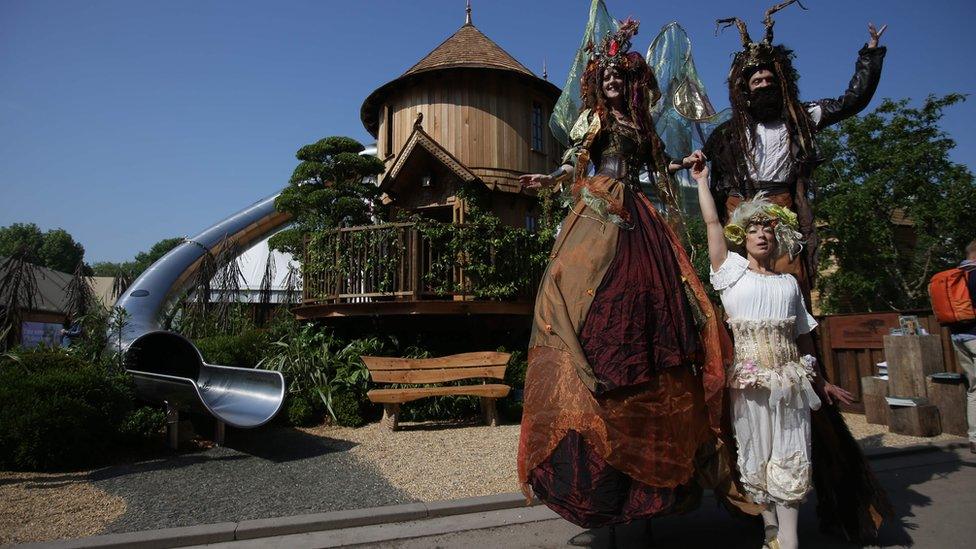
(743, 153)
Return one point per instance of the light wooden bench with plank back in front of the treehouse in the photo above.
(483, 366)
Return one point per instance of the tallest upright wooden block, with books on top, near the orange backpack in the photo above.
(911, 358)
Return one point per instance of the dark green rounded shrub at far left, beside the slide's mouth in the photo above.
(58, 411)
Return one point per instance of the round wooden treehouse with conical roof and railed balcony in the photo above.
(461, 124)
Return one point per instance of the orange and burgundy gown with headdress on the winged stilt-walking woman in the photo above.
(623, 393)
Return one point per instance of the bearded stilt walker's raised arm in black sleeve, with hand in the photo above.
(867, 74)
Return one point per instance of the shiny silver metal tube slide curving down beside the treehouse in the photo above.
(167, 367)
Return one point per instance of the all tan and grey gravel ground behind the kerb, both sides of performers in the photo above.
(277, 471)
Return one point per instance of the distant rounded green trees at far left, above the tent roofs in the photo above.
(54, 249)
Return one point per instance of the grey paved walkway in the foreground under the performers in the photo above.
(934, 494)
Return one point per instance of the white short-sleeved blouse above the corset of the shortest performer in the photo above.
(748, 295)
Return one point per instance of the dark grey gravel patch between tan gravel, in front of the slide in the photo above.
(258, 474)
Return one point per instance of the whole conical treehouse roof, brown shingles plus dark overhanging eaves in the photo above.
(466, 48)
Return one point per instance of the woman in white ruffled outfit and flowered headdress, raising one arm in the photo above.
(773, 382)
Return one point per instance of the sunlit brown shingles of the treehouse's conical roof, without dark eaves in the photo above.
(468, 47)
